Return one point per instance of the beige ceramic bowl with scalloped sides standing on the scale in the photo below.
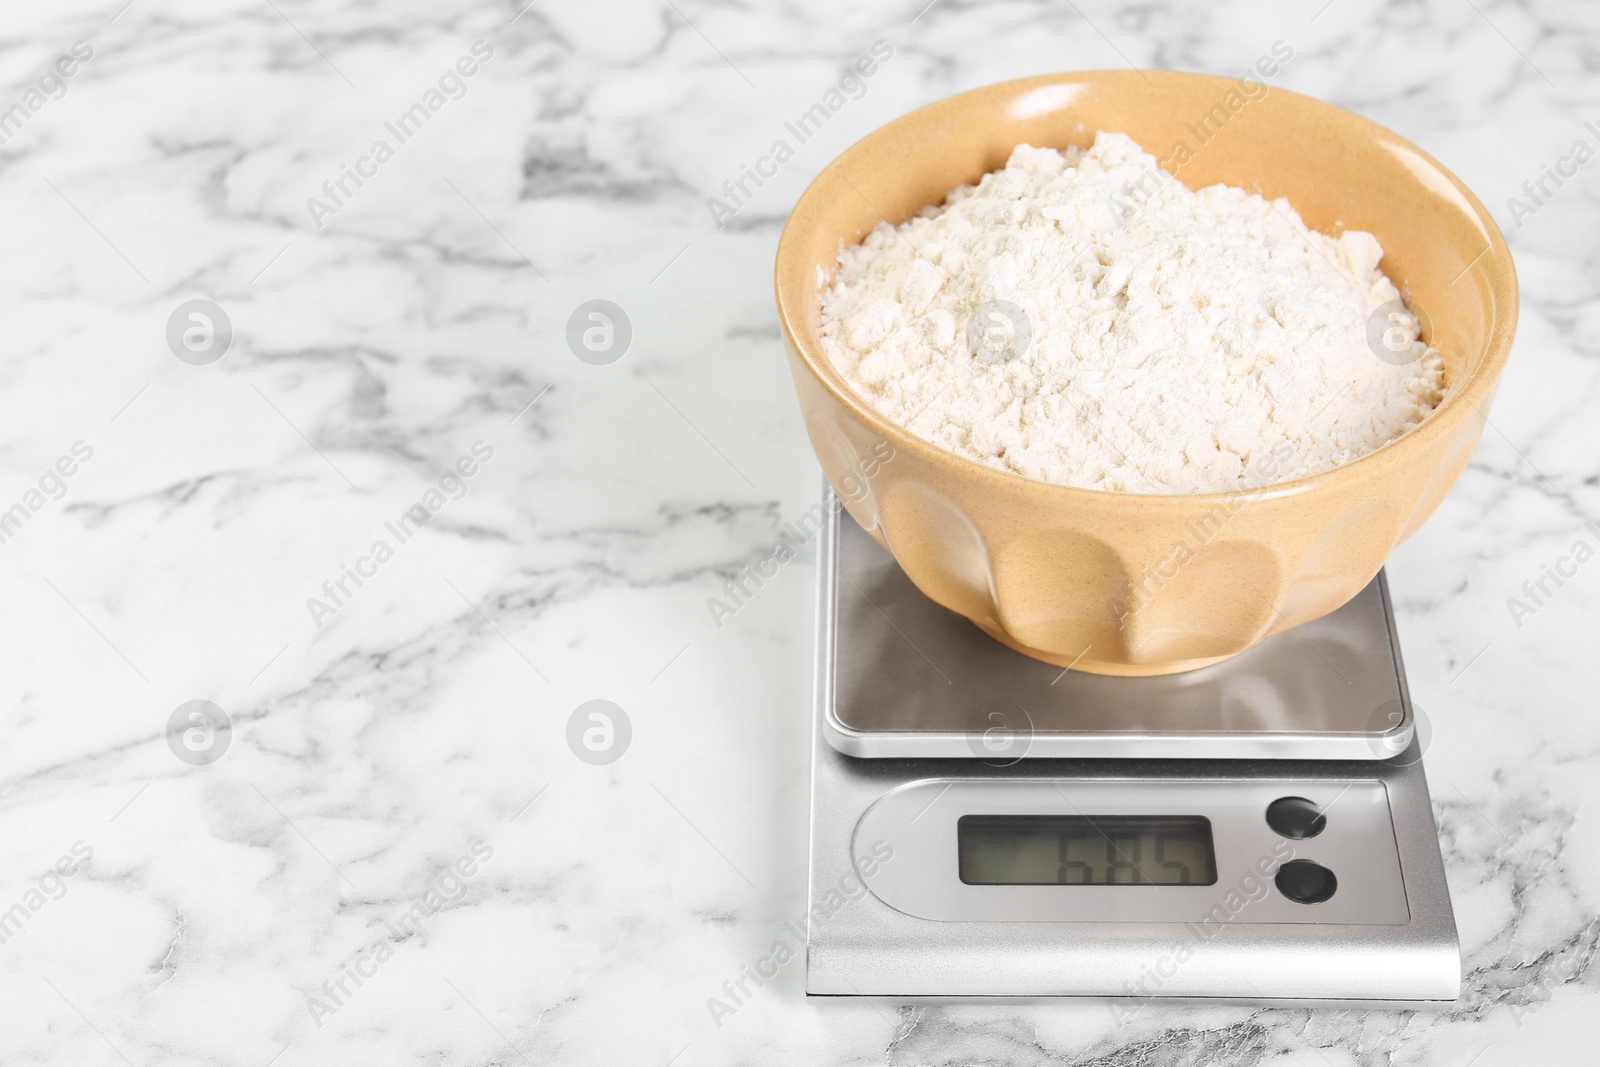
(1138, 585)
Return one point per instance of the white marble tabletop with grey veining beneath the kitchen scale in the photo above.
(399, 860)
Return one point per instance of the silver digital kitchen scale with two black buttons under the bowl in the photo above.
(986, 825)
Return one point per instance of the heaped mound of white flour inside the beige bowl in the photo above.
(1156, 340)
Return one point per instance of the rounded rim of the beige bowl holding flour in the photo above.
(793, 313)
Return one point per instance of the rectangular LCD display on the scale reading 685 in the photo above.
(1087, 850)
